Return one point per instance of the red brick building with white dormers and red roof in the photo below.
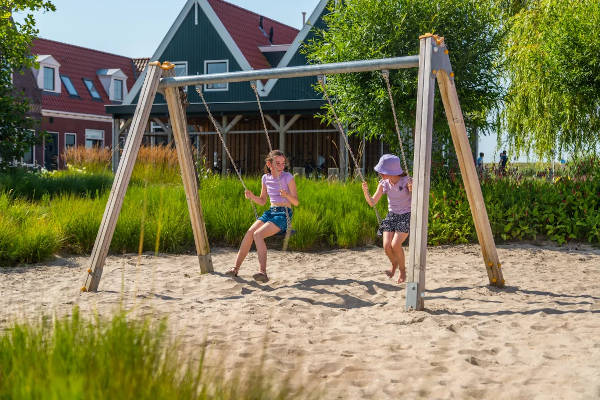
(76, 83)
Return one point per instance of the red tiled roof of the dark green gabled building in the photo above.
(242, 25)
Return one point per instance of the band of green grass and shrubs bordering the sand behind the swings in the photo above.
(330, 215)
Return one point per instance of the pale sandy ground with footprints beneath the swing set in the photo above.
(335, 320)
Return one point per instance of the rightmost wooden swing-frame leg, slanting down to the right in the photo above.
(470, 179)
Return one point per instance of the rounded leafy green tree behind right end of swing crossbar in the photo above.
(370, 29)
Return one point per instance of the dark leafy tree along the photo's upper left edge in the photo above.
(16, 134)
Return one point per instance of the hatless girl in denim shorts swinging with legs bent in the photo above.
(280, 188)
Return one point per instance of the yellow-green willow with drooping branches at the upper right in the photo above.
(553, 64)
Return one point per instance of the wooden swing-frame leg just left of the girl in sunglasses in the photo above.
(190, 179)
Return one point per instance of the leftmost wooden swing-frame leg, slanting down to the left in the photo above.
(122, 177)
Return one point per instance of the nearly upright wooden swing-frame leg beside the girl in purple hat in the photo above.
(415, 286)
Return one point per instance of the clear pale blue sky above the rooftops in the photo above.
(134, 28)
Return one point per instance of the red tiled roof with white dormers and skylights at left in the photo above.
(78, 63)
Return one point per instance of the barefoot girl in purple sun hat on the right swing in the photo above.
(396, 225)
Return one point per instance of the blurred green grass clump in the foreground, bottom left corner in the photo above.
(119, 358)
